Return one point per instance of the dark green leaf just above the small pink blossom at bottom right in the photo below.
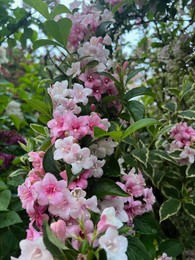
(172, 247)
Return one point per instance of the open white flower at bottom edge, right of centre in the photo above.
(114, 245)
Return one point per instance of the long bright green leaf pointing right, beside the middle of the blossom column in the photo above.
(138, 125)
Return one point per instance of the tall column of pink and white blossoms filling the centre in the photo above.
(63, 199)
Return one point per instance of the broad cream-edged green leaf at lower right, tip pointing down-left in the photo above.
(169, 208)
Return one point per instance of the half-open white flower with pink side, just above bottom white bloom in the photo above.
(108, 219)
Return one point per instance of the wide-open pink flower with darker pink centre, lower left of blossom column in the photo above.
(49, 190)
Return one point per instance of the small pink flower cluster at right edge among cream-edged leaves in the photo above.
(184, 137)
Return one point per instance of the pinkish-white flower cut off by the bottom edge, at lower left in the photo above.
(31, 250)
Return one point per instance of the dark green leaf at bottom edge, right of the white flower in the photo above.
(136, 250)
